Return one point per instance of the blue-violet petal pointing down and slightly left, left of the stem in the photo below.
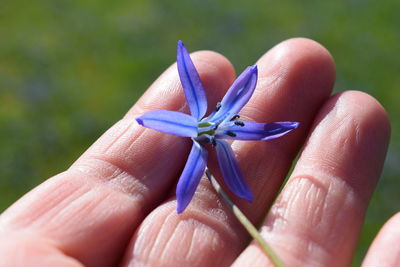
(191, 175)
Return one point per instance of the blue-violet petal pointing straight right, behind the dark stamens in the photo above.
(259, 131)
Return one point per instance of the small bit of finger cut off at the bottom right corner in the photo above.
(385, 250)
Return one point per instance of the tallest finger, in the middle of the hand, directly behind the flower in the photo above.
(295, 77)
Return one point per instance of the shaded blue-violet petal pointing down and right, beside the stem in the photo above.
(231, 172)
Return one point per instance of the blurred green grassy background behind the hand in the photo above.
(70, 69)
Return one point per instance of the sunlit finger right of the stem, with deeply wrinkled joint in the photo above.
(316, 220)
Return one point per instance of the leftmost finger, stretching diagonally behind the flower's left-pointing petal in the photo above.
(91, 210)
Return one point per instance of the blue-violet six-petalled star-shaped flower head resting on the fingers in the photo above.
(221, 124)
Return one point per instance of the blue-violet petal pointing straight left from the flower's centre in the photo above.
(171, 122)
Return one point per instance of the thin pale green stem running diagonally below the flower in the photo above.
(246, 223)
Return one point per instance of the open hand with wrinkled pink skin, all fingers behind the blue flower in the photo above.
(116, 204)
